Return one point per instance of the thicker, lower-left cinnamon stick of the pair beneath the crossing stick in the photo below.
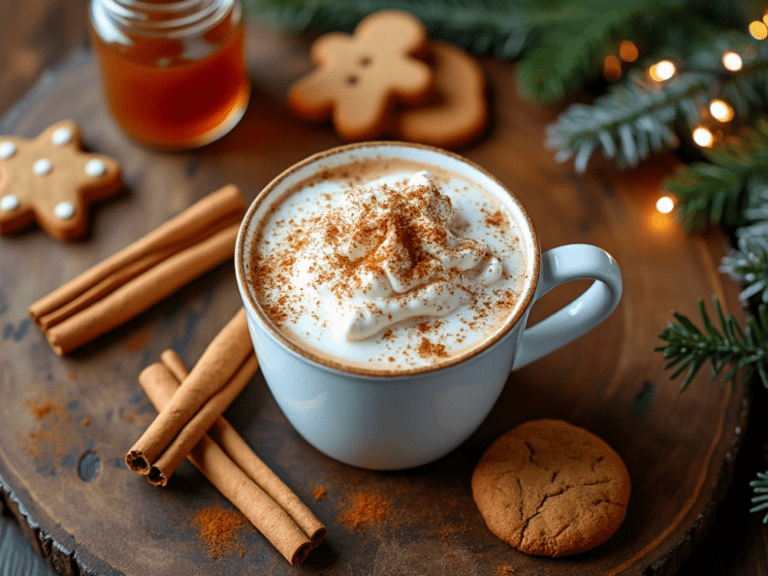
(263, 512)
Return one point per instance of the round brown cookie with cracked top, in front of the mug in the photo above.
(550, 488)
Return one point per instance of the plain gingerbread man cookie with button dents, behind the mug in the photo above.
(359, 77)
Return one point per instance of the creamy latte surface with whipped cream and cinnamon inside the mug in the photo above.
(389, 266)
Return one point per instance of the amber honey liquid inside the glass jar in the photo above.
(164, 97)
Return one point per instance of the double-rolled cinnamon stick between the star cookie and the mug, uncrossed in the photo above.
(142, 274)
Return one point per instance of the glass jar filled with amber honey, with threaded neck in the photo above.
(173, 71)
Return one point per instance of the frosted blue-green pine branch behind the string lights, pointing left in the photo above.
(637, 117)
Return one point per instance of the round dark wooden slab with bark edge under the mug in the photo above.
(66, 423)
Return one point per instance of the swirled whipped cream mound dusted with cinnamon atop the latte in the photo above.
(386, 253)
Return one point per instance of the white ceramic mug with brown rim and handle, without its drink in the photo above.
(400, 421)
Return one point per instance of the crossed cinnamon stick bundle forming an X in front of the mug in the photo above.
(190, 404)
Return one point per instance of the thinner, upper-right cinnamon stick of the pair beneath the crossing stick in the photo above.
(225, 435)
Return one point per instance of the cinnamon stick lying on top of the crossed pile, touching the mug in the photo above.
(219, 363)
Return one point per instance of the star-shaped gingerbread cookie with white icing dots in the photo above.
(52, 181)
